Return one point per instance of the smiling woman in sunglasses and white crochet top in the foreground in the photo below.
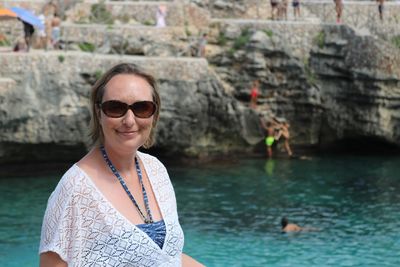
(116, 206)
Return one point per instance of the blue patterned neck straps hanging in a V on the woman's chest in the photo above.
(148, 219)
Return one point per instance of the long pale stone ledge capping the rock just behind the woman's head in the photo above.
(166, 68)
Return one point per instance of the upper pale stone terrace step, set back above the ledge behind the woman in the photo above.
(131, 40)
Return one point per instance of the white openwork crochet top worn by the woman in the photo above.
(84, 229)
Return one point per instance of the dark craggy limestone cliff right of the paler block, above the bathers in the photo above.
(346, 87)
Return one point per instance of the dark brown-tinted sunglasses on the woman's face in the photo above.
(117, 109)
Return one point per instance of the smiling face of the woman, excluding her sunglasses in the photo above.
(127, 133)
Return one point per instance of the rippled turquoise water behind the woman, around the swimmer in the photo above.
(231, 211)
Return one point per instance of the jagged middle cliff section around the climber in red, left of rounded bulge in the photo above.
(286, 89)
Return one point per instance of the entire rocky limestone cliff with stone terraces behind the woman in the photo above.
(331, 82)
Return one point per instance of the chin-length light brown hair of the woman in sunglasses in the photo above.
(95, 130)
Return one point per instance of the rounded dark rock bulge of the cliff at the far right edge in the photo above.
(359, 77)
